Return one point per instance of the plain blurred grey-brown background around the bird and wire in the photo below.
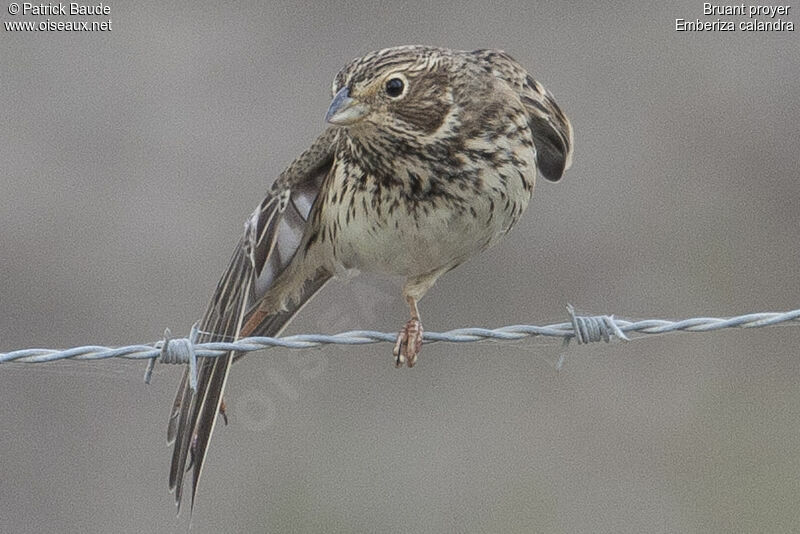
(131, 159)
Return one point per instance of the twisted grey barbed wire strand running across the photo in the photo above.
(582, 328)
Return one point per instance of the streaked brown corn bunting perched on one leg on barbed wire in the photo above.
(430, 156)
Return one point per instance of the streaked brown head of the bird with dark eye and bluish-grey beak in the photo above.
(402, 90)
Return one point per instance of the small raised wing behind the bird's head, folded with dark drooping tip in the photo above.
(550, 128)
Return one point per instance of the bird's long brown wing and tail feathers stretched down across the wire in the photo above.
(273, 234)
